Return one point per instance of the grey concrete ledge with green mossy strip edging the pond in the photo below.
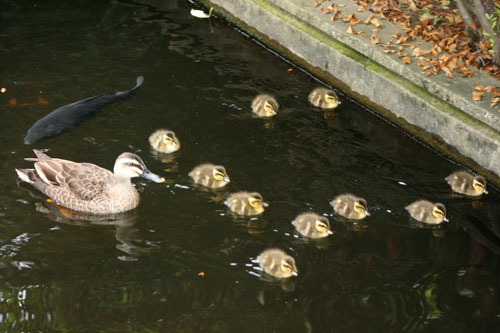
(436, 109)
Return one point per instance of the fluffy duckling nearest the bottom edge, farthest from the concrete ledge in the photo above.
(277, 263)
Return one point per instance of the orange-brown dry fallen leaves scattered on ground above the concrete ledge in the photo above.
(435, 21)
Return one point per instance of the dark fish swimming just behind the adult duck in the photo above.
(67, 117)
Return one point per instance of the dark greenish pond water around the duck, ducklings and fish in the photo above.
(141, 271)
